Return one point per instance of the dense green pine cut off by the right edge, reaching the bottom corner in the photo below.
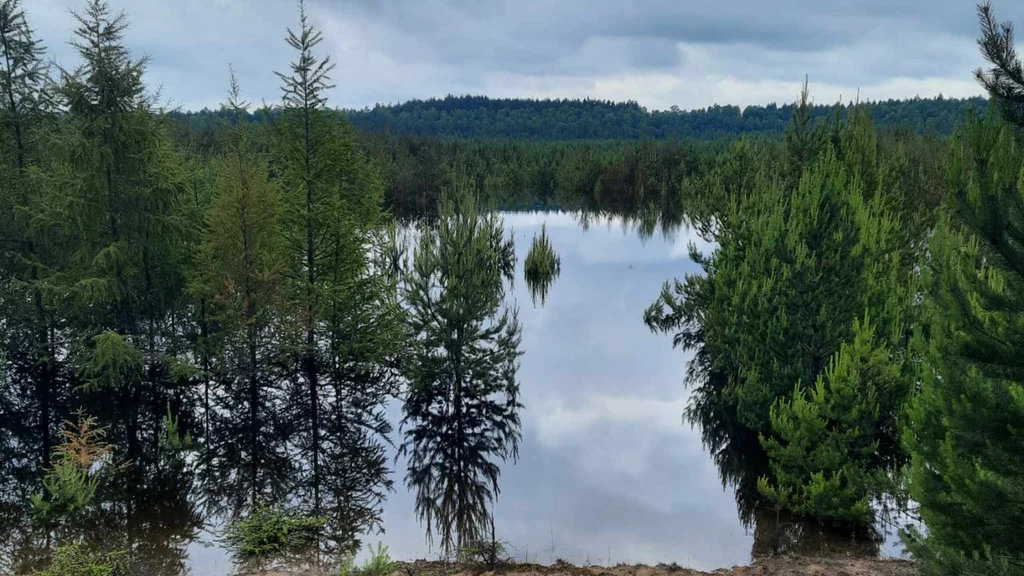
(964, 429)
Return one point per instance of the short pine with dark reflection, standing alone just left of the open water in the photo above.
(461, 416)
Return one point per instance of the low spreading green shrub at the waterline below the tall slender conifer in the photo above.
(271, 533)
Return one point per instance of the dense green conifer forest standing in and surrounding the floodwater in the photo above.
(210, 320)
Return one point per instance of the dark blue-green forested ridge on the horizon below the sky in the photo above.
(554, 120)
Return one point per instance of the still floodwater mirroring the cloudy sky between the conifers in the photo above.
(609, 472)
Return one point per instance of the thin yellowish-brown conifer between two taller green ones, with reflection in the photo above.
(243, 273)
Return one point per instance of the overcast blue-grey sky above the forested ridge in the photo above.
(661, 54)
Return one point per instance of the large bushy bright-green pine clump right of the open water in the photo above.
(799, 324)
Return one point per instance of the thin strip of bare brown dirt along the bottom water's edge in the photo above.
(780, 566)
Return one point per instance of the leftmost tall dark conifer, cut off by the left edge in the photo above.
(28, 255)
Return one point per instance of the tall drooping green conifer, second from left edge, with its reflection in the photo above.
(131, 245)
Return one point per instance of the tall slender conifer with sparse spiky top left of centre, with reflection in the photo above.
(342, 301)
